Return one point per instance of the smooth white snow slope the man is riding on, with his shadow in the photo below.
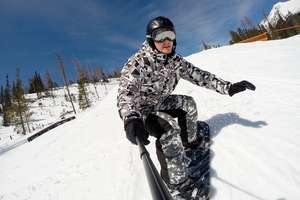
(256, 141)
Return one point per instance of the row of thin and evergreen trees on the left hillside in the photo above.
(14, 105)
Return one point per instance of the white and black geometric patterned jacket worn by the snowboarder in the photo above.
(149, 77)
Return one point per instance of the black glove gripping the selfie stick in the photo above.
(135, 128)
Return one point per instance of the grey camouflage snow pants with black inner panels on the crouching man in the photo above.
(173, 123)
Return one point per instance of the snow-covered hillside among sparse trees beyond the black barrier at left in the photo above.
(47, 110)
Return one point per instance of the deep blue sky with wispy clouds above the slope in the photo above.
(106, 33)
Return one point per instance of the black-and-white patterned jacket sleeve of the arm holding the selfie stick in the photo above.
(128, 100)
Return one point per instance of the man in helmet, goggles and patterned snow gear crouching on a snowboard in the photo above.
(147, 106)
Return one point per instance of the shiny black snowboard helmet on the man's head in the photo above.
(159, 23)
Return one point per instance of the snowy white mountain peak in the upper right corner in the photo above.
(284, 8)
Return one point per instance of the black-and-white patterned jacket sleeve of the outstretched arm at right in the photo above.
(202, 78)
